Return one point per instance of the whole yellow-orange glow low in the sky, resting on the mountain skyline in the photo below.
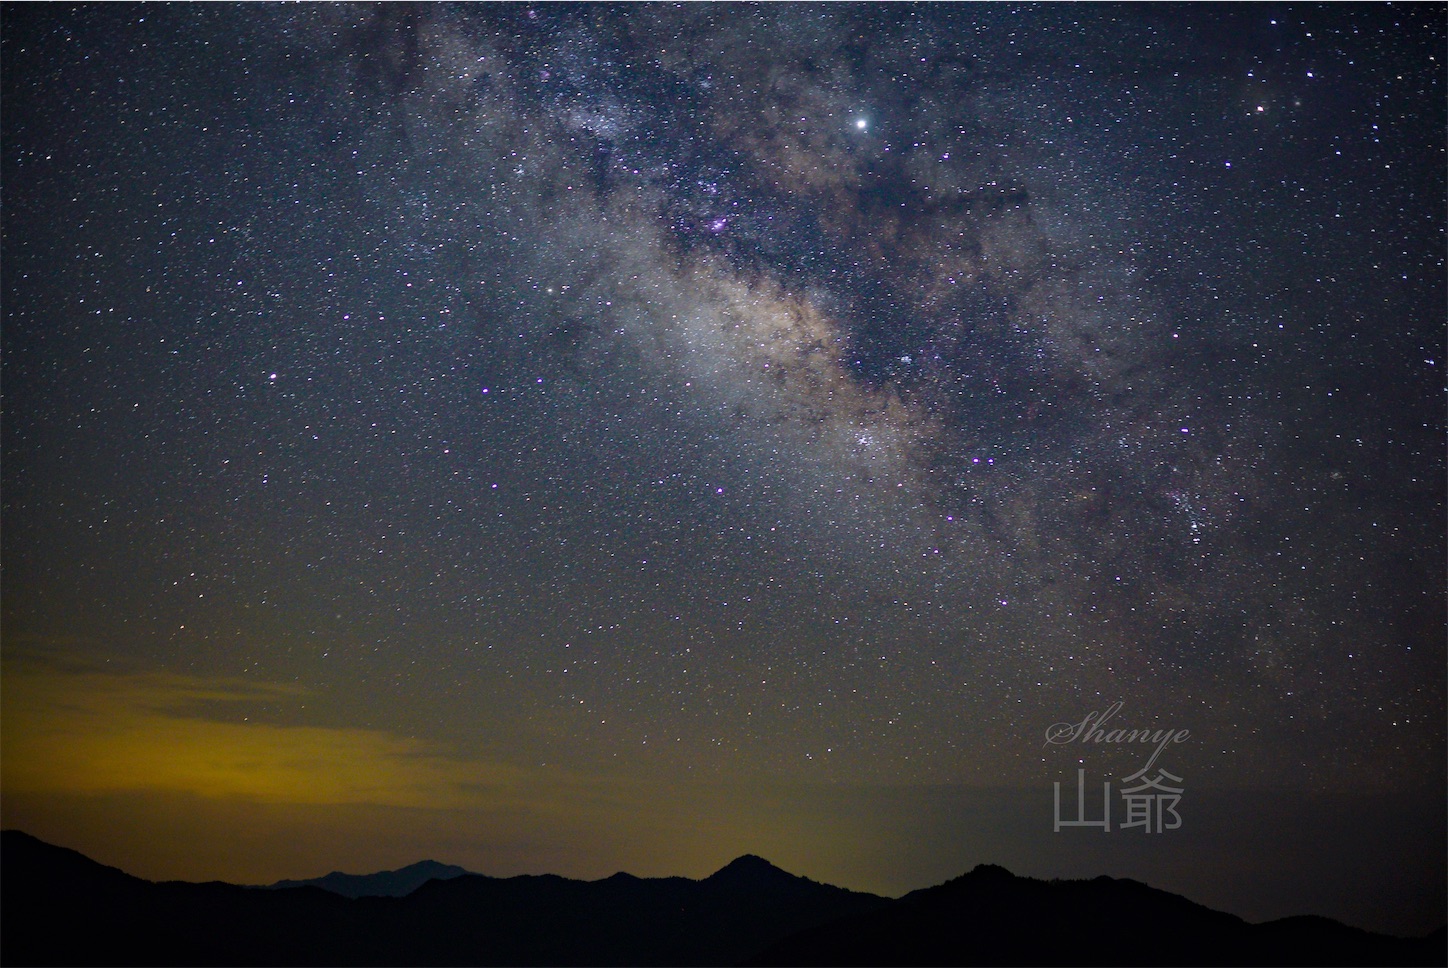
(167, 778)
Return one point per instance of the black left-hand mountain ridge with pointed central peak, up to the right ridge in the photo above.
(49, 892)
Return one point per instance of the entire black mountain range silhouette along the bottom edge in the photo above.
(59, 907)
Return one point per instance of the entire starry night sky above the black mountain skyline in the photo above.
(581, 439)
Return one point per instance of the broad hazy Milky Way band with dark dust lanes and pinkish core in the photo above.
(812, 229)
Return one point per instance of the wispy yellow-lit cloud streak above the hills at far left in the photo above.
(88, 731)
